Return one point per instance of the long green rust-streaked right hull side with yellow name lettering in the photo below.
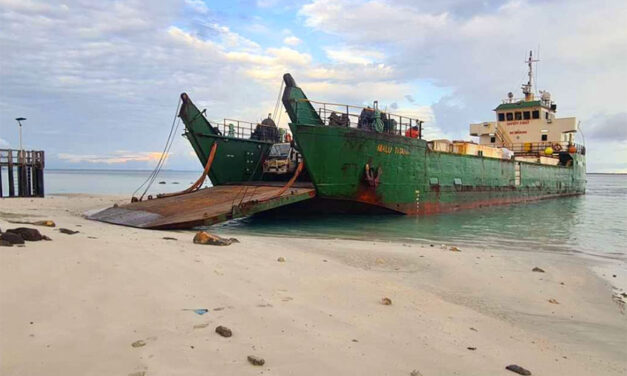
(413, 179)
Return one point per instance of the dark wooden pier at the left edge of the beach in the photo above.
(21, 173)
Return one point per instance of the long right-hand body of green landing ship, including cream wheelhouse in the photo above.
(376, 159)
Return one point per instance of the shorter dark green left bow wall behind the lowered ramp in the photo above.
(236, 160)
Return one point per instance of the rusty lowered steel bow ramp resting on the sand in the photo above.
(206, 206)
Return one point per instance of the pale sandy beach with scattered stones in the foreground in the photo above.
(76, 304)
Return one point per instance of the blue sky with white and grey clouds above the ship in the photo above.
(99, 82)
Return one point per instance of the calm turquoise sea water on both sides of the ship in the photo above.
(593, 224)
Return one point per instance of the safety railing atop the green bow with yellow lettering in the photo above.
(367, 118)
